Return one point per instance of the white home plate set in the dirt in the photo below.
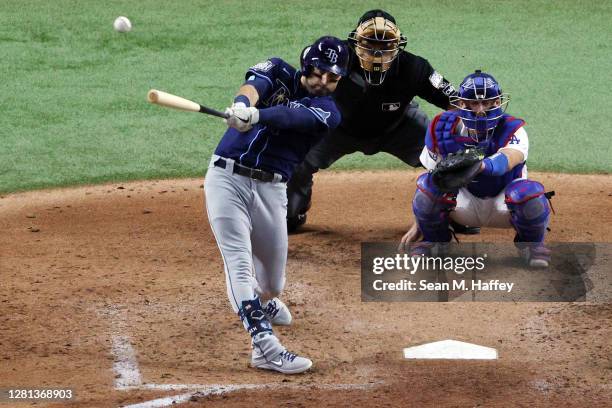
(450, 350)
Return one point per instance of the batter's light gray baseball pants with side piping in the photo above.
(248, 220)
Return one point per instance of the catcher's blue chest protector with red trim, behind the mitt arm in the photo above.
(443, 138)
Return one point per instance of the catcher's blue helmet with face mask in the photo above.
(480, 87)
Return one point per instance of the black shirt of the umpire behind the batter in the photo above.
(368, 111)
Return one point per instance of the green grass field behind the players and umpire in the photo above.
(73, 102)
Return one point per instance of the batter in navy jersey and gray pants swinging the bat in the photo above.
(278, 114)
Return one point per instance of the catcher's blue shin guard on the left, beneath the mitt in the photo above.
(431, 209)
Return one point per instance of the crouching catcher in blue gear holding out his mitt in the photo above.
(476, 155)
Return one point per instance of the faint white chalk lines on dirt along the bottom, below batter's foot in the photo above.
(205, 390)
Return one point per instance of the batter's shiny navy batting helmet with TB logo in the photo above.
(328, 54)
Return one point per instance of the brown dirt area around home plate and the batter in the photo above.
(112, 289)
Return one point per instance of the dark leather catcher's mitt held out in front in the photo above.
(457, 170)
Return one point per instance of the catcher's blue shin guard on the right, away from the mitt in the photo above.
(529, 209)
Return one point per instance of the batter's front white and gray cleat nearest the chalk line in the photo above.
(269, 354)
